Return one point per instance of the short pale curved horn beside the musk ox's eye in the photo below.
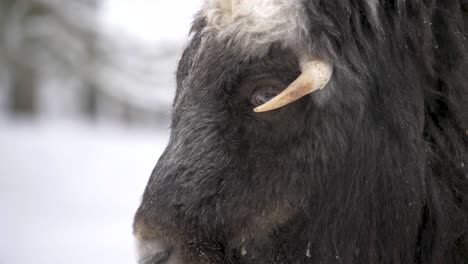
(315, 75)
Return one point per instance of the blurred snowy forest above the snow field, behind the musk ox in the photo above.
(59, 60)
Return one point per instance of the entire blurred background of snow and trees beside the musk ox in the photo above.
(85, 94)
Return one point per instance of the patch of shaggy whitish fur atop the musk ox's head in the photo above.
(253, 25)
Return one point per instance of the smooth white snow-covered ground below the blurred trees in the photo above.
(68, 191)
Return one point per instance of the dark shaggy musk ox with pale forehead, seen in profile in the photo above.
(315, 131)
